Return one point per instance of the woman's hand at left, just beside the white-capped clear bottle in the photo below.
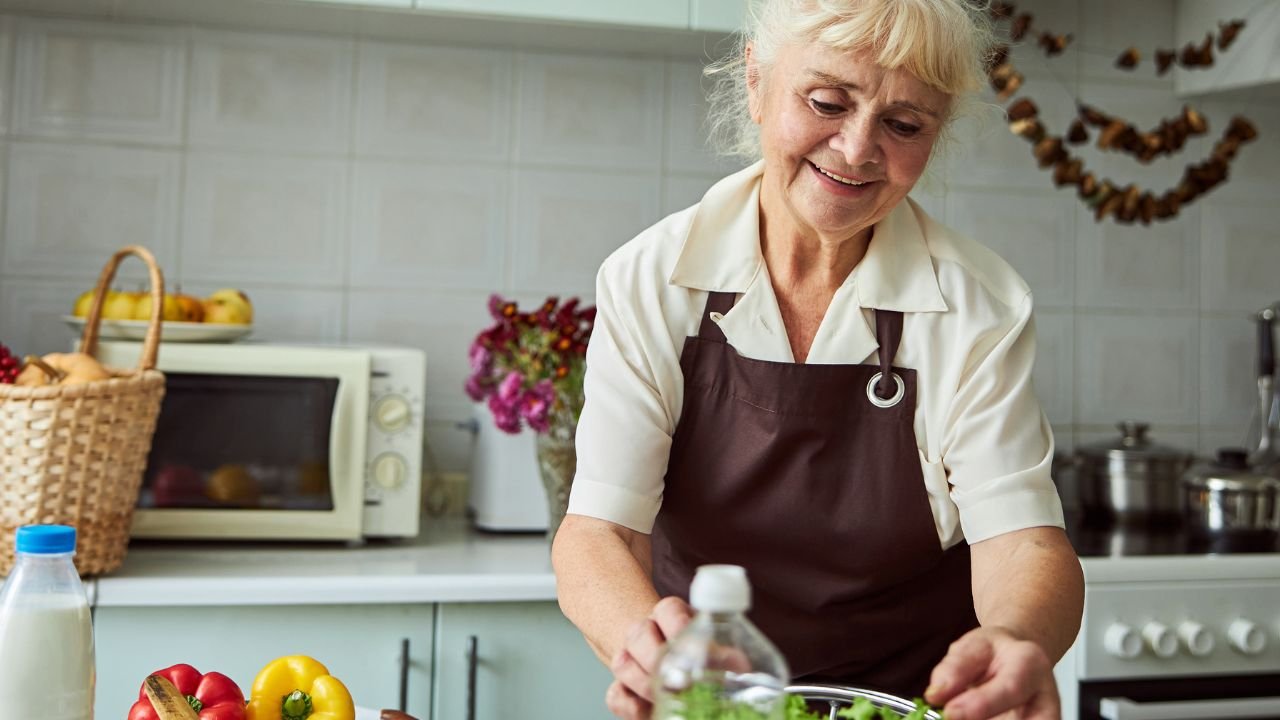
(630, 698)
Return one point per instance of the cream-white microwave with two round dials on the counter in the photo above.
(291, 443)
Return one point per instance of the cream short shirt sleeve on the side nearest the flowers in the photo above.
(624, 435)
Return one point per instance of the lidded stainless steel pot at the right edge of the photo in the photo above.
(1228, 498)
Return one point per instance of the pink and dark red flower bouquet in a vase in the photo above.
(529, 368)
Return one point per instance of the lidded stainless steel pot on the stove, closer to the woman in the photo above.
(1131, 480)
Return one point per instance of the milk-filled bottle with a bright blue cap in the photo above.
(47, 636)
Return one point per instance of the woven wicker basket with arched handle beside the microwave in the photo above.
(75, 454)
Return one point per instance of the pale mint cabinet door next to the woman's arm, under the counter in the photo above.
(528, 662)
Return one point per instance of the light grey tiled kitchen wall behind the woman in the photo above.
(378, 192)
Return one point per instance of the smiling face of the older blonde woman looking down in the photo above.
(844, 139)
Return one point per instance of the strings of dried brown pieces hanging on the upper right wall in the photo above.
(1130, 203)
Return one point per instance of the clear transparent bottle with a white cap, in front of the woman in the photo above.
(721, 666)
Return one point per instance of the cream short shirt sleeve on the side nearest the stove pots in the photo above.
(998, 446)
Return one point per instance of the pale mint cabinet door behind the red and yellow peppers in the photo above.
(362, 645)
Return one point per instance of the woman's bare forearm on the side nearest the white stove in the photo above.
(1030, 582)
